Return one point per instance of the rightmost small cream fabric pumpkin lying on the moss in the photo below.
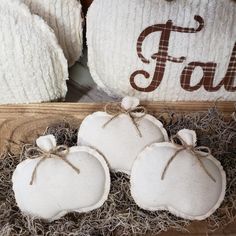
(189, 189)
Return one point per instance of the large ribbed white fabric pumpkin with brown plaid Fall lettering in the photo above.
(132, 52)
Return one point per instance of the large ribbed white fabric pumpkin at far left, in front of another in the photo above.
(32, 65)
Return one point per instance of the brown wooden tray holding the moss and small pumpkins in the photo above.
(24, 123)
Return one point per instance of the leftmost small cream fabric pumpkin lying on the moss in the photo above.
(57, 188)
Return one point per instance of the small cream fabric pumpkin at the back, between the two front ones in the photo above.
(120, 141)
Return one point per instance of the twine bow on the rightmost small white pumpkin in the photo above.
(194, 150)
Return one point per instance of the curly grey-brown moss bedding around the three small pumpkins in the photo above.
(120, 214)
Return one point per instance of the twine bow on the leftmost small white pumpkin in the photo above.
(57, 152)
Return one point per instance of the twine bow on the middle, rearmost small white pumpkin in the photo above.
(134, 114)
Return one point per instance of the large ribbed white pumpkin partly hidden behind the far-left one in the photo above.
(66, 19)
